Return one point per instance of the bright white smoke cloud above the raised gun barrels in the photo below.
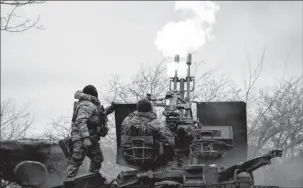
(190, 35)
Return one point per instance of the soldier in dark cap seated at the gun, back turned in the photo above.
(144, 122)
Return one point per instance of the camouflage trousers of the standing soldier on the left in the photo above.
(78, 154)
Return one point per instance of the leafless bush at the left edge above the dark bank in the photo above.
(14, 122)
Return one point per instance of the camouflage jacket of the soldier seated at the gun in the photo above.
(147, 124)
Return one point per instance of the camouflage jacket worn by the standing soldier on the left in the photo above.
(88, 114)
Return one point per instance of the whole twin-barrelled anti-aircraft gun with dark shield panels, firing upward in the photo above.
(204, 147)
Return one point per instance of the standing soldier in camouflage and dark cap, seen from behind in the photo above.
(88, 124)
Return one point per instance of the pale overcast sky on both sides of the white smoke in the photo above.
(86, 42)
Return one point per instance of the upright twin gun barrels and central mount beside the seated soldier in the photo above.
(194, 143)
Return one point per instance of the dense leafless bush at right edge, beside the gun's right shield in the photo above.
(281, 125)
